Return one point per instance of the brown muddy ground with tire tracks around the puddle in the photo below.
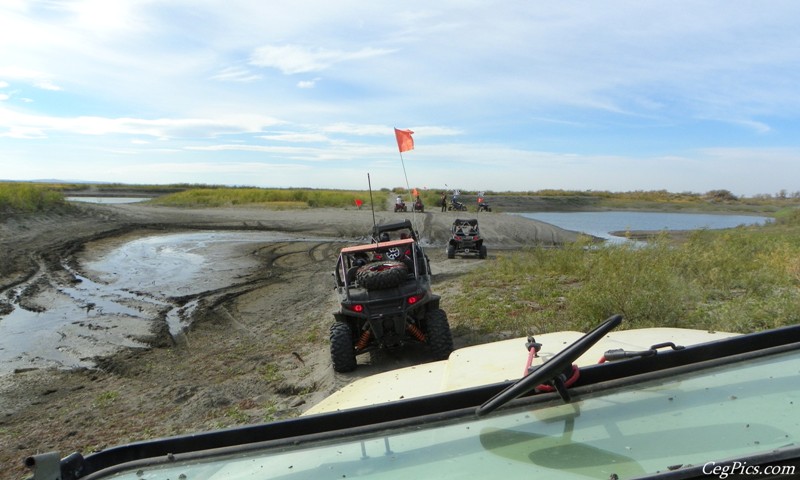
(257, 350)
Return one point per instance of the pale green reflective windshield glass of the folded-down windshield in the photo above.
(694, 418)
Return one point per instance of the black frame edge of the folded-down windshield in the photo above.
(449, 405)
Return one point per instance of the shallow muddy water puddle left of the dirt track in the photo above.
(126, 287)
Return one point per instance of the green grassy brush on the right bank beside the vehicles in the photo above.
(741, 280)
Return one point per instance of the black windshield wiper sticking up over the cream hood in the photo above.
(551, 369)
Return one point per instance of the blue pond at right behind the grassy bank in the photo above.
(601, 224)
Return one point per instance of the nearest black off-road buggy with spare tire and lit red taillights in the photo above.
(385, 297)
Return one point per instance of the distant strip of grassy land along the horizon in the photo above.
(192, 195)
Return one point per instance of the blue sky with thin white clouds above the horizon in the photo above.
(684, 96)
